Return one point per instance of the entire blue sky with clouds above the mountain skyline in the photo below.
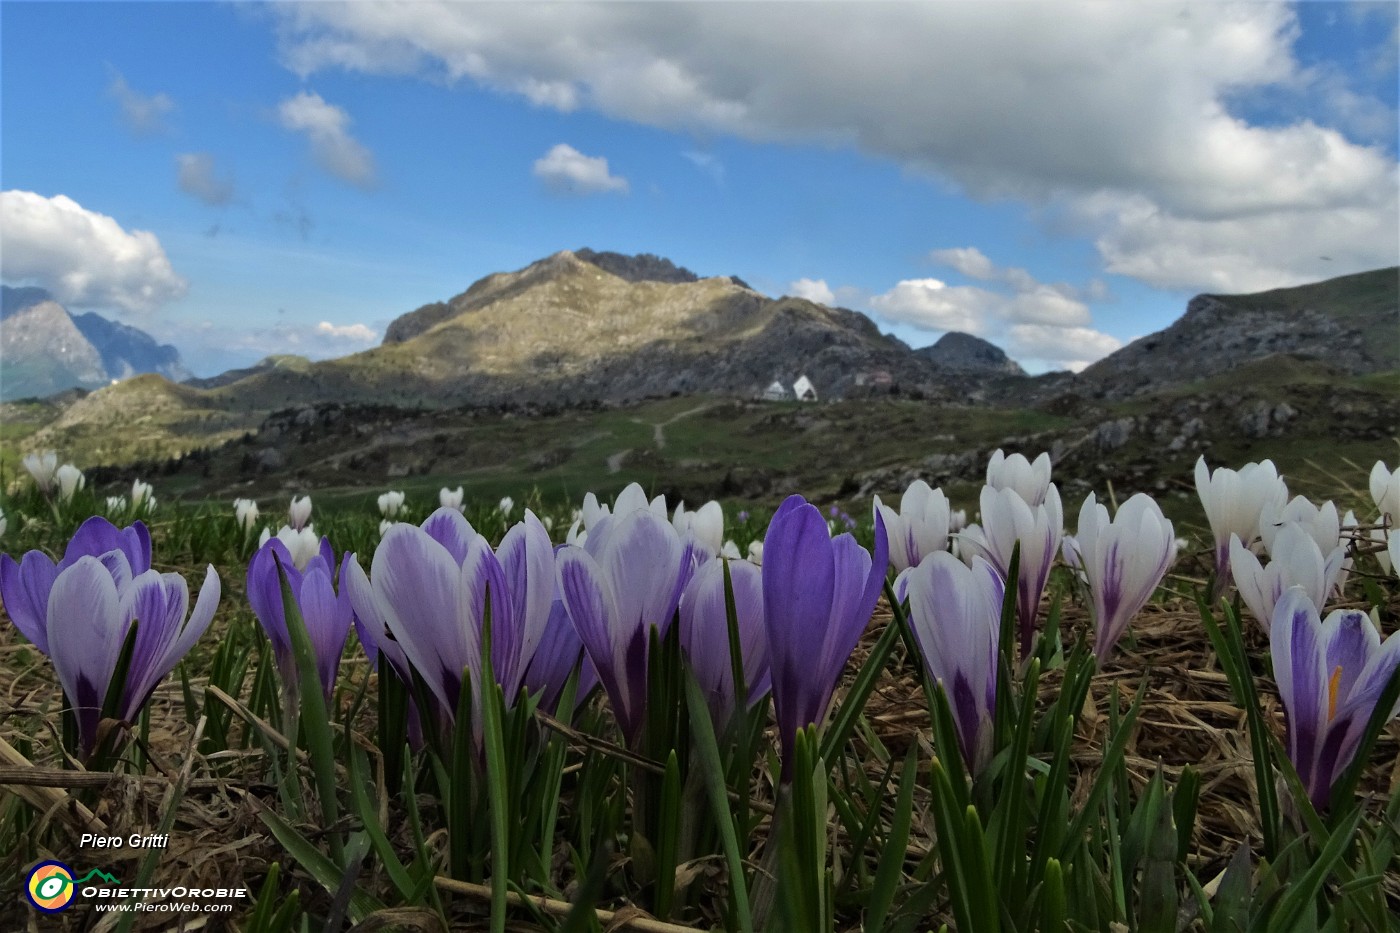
(1060, 179)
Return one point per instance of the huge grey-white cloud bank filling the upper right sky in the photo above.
(1065, 106)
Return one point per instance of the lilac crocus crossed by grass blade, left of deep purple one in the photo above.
(705, 634)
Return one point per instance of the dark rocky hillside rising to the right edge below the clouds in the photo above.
(1350, 324)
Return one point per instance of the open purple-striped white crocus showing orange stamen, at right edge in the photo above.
(1331, 677)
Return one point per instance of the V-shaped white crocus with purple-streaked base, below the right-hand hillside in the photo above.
(1125, 561)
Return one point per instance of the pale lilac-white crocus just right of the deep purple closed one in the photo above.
(955, 614)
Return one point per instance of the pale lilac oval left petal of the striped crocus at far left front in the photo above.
(86, 633)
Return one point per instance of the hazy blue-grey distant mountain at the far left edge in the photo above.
(45, 350)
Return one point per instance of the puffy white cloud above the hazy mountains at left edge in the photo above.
(85, 258)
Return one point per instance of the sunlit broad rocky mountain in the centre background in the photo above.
(566, 330)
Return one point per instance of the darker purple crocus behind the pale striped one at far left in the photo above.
(26, 585)
